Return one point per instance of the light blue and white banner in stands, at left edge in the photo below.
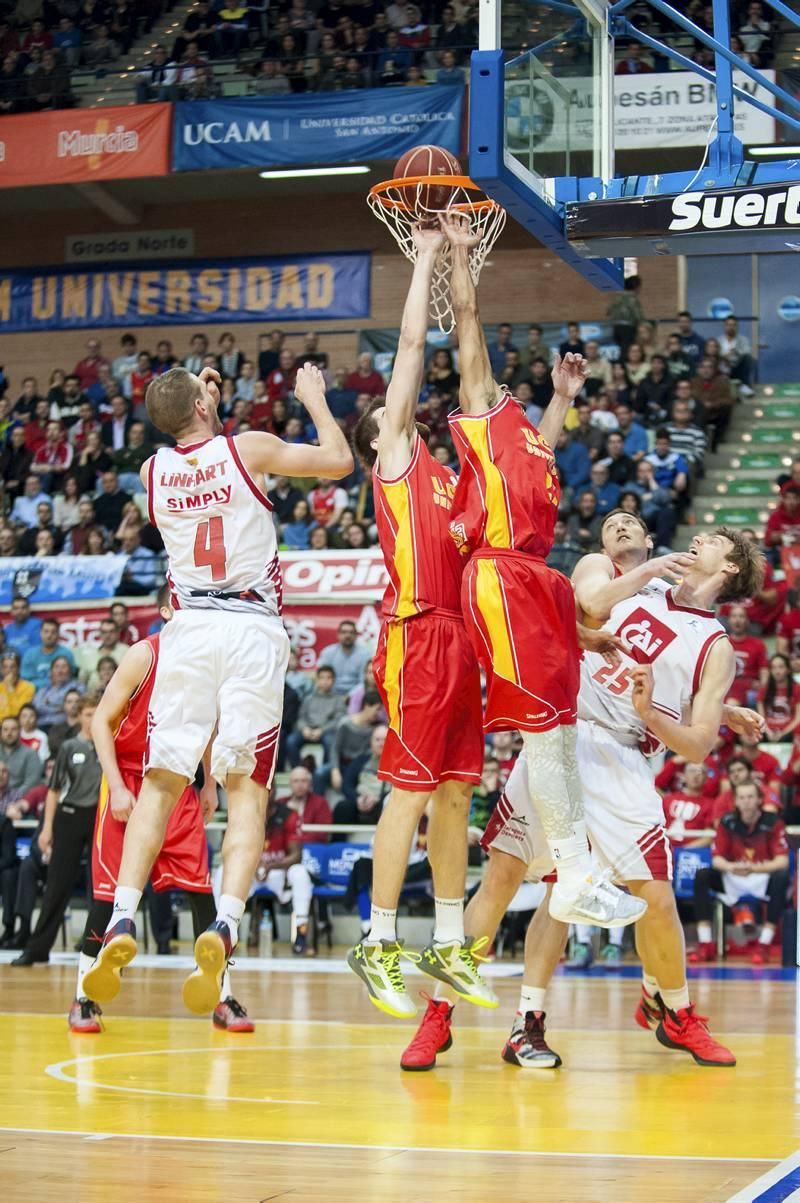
(61, 579)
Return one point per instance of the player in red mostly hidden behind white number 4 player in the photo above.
(120, 733)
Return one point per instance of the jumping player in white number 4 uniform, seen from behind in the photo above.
(223, 659)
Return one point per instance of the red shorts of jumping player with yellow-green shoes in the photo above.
(430, 684)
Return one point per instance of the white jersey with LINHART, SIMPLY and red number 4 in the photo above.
(217, 528)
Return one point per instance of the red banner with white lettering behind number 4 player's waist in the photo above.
(311, 627)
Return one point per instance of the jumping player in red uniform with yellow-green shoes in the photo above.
(428, 674)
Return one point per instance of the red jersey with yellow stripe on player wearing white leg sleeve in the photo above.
(508, 491)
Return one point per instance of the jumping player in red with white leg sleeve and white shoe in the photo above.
(519, 613)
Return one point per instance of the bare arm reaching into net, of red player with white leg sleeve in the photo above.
(479, 390)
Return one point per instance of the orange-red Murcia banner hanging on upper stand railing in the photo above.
(84, 145)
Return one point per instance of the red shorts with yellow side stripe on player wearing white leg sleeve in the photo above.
(520, 617)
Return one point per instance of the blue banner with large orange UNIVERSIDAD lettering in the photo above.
(280, 289)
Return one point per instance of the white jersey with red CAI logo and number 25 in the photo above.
(674, 639)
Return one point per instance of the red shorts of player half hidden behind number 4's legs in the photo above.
(183, 861)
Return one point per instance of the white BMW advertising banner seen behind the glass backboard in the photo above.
(674, 109)
